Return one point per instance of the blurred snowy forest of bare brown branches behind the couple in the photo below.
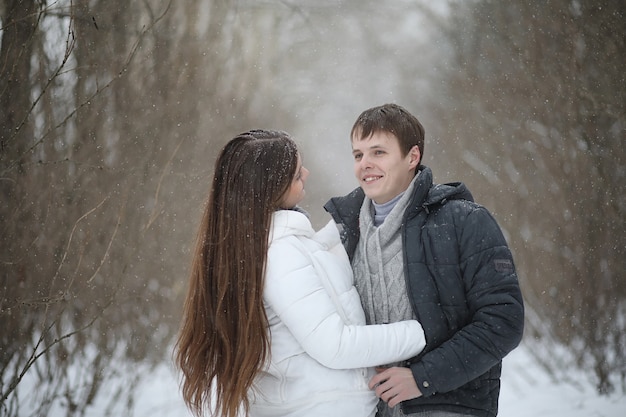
(111, 114)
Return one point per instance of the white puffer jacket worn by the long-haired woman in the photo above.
(321, 349)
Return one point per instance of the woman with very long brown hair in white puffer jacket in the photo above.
(272, 324)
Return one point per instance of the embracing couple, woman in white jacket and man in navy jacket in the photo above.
(404, 303)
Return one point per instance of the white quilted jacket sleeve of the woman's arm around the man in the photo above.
(294, 290)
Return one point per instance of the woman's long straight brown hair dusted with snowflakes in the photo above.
(224, 337)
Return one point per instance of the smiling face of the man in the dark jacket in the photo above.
(380, 168)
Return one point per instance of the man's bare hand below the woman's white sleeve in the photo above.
(393, 385)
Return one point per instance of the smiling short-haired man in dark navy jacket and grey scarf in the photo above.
(426, 251)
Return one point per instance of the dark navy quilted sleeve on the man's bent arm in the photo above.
(496, 311)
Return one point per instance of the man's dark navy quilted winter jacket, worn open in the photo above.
(463, 288)
